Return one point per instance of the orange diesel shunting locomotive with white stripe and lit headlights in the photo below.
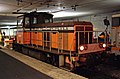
(63, 44)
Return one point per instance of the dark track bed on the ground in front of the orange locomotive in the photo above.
(109, 70)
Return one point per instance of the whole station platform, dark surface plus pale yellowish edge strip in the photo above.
(14, 65)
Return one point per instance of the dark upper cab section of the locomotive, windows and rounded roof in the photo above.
(36, 18)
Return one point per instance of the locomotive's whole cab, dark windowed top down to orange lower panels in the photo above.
(27, 22)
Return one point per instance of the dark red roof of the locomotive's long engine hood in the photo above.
(61, 24)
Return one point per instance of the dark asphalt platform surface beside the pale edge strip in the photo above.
(11, 68)
